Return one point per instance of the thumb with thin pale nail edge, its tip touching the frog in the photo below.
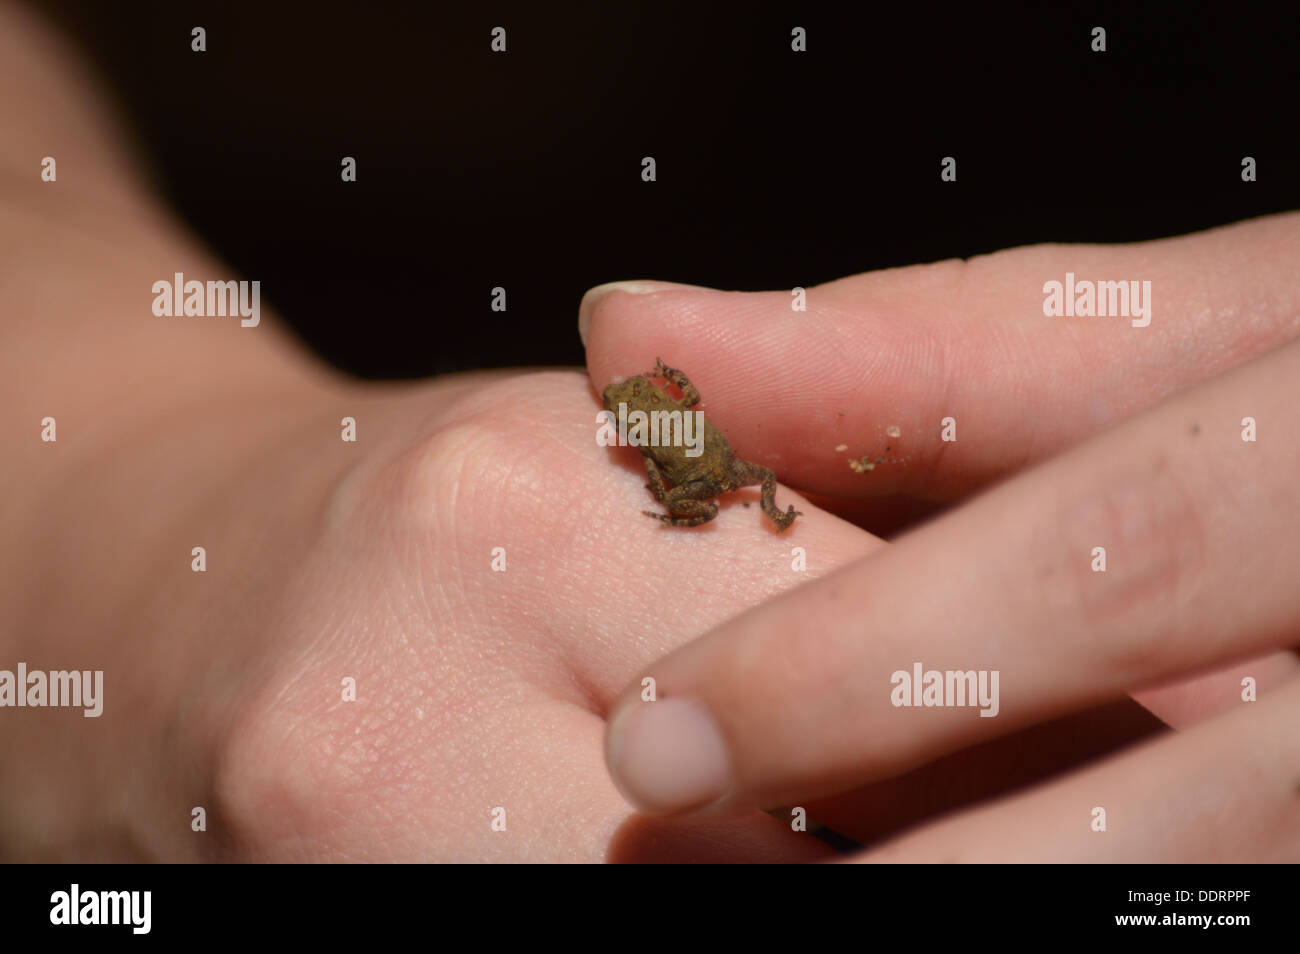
(874, 366)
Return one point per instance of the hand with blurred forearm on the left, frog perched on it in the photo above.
(476, 688)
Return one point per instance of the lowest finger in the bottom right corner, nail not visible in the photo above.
(1223, 792)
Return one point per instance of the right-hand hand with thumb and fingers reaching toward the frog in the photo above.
(1195, 522)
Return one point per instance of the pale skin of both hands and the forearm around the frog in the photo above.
(482, 690)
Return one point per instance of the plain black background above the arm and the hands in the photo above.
(523, 170)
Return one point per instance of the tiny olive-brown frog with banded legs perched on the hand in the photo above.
(687, 485)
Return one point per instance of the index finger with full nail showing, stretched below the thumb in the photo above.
(798, 697)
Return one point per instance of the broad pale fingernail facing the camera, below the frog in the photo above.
(669, 756)
